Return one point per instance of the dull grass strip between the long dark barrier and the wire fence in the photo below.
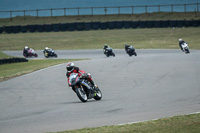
(28, 20)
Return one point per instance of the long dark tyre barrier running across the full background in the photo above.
(81, 26)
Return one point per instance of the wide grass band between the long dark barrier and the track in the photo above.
(144, 38)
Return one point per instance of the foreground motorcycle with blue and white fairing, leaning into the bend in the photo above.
(83, 88)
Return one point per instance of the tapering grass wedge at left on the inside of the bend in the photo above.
(8, 71)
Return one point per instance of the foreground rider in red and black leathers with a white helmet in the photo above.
(71, 68)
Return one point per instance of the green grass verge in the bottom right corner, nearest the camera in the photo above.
(177, 124)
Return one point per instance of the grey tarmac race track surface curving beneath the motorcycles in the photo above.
(155, 84)
